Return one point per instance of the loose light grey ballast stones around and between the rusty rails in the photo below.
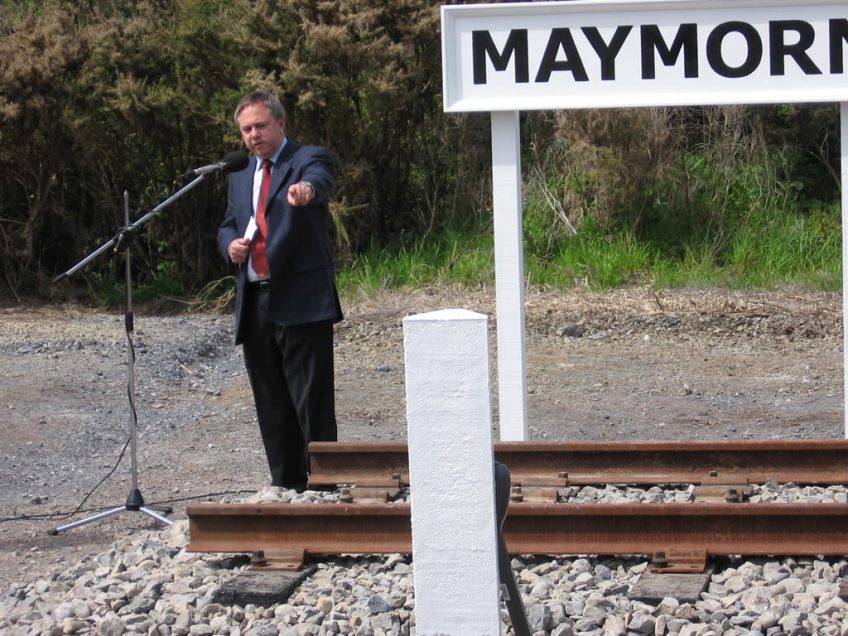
(149, 584)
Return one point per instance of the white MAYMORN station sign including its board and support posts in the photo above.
(507, 57)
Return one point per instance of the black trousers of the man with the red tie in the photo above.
(291, 373)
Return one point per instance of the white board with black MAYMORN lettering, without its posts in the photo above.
(624, 53)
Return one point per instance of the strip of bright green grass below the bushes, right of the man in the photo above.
(759, 253)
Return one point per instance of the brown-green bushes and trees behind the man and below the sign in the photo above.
(101, 97)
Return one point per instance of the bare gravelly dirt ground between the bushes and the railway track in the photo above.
(630, 364)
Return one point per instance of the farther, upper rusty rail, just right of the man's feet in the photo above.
(605, 462)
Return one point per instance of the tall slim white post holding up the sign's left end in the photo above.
(509, 275)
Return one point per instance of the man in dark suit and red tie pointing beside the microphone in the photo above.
(276, 230)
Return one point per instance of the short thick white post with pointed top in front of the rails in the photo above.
(451, 472)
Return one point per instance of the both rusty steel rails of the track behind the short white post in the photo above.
(678, 536)
